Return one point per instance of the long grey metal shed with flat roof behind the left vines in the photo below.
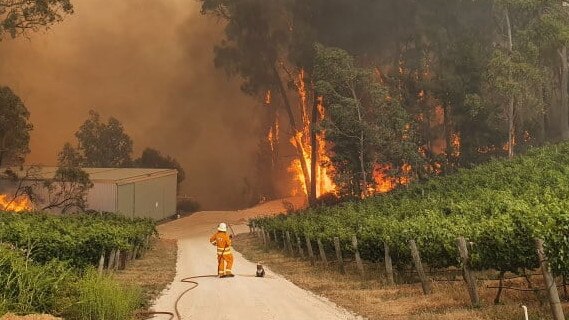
(133, 192)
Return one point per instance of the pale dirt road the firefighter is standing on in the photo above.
(242, 297)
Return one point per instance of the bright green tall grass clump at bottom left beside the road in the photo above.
(103, 298)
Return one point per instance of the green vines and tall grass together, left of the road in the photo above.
(48, 263)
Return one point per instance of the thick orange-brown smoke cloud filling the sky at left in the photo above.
(149, 64)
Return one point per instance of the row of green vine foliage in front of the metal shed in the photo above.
(79, 239)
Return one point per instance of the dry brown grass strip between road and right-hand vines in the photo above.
(373, 299)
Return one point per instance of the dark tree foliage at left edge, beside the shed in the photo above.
(15, 127)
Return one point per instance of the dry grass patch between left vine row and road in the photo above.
(155, 271)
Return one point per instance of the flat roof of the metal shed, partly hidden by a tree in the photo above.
(101, 175)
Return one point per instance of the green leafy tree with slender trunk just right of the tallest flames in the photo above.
(366, 125)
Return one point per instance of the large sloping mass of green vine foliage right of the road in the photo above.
(500, 208)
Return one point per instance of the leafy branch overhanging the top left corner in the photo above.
(19, 17)
